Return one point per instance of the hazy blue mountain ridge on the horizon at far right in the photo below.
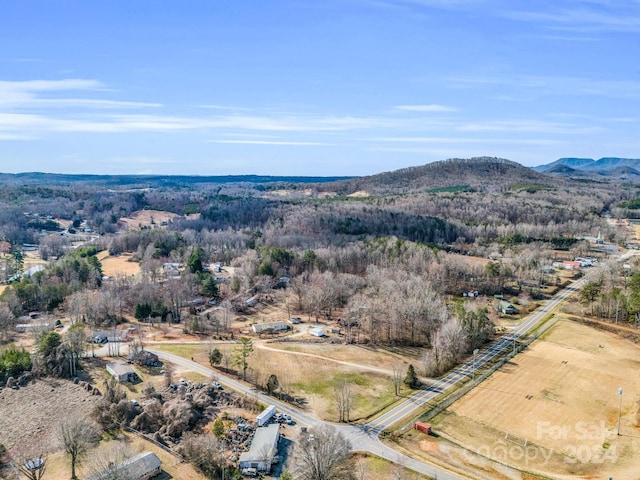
(612, 168)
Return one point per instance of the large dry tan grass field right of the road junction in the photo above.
(554, 409)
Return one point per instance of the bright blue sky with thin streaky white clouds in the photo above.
(331, 87)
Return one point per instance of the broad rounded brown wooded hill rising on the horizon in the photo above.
(480, 173)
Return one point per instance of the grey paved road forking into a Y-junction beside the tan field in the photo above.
(366, 437)
